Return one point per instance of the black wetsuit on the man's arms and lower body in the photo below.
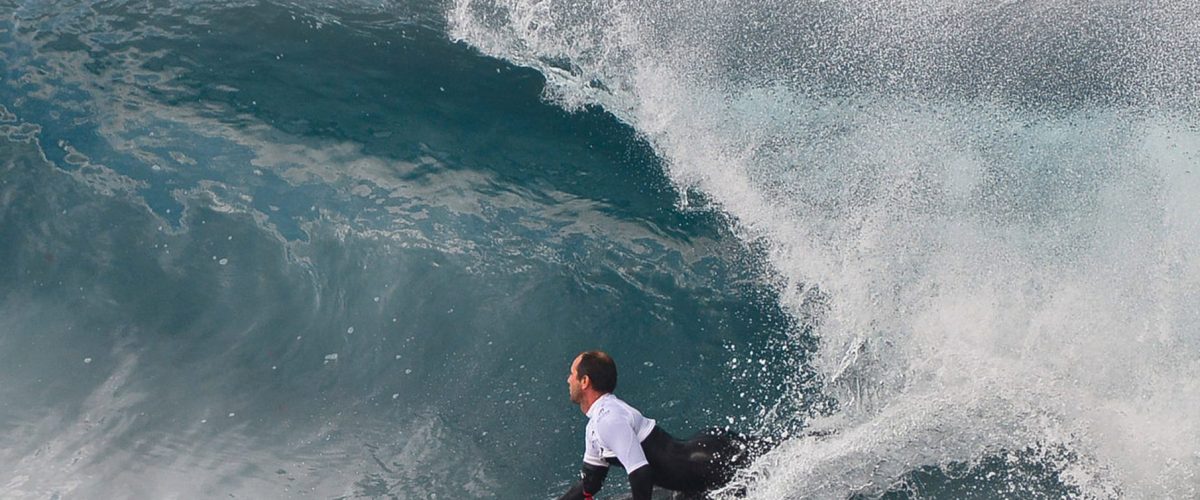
(691, 467)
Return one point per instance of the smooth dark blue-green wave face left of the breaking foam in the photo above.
(267, 251)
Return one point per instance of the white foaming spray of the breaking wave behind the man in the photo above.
(991, 212)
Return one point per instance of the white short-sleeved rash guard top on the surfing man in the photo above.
(616, 431)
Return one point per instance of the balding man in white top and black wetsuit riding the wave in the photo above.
(619, 435)
